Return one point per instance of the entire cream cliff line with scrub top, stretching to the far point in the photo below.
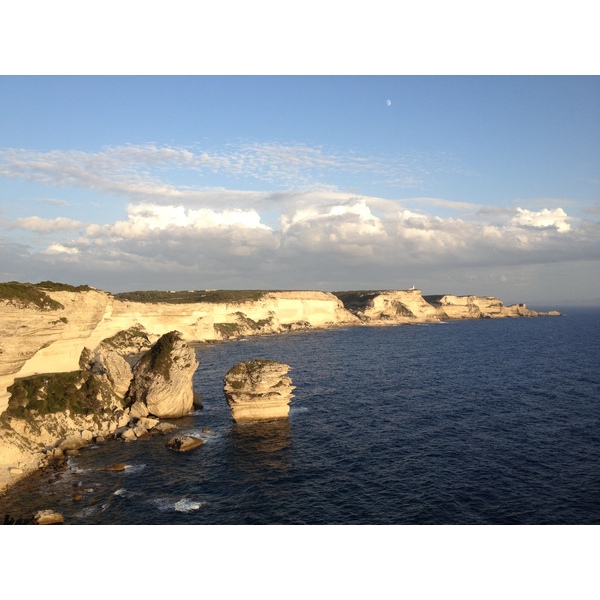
(45, 328)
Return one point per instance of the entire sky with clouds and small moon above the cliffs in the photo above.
(455, 184)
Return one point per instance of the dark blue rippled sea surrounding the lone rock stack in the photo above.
(464, 422)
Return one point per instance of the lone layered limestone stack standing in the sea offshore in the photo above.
(258, 390)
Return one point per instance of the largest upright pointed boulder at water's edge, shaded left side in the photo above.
(162, 379)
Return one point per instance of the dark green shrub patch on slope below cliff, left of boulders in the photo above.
(80, 392)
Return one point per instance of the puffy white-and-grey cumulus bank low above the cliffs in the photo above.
(337, 231)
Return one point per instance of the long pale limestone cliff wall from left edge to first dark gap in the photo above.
(34, 340)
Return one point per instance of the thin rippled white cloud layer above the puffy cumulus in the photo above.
(138, 172)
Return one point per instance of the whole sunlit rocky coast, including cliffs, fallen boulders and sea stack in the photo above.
(67, 384)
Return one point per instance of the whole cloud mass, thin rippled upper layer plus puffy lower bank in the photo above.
(300, 232)
